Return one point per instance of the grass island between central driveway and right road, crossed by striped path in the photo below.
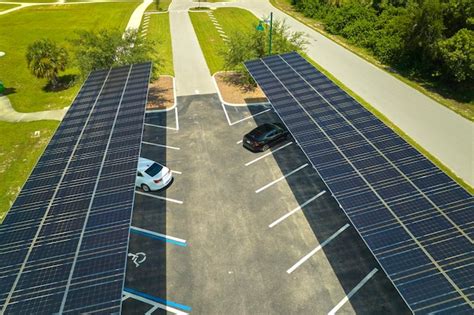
(231, 20)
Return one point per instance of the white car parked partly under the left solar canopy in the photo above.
(152, 175)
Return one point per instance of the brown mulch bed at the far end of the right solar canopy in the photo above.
(238, 94)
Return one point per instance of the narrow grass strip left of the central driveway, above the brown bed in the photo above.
(159, 31)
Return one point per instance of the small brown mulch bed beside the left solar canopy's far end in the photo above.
(161, 94)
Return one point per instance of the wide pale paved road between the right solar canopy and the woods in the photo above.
(446, 135)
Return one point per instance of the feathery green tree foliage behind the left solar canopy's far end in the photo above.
(108, 48)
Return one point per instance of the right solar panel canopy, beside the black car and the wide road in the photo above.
(416, 220)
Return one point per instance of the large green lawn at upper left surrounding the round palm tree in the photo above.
(57, 23)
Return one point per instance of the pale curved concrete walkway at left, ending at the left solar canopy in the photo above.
(7, 113)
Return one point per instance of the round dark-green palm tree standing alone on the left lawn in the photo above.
(45, 59)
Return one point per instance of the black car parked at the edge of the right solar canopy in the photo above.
(265, 136)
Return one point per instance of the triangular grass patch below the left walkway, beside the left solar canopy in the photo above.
(19, 151)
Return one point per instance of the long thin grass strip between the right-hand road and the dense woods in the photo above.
(461, 102)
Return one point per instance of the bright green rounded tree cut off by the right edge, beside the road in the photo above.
(457, 54)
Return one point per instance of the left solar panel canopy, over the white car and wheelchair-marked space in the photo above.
(63, 244)
